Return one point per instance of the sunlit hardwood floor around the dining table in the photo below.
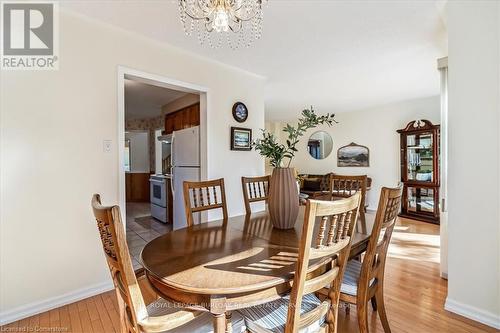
(415, 296)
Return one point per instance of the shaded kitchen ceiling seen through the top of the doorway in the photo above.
(145, 101)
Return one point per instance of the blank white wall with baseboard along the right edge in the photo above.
(474, 152)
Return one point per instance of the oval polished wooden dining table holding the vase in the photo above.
(225, 265)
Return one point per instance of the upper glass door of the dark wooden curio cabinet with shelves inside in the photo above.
(420, 157)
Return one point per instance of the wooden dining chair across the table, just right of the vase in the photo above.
(343, 186)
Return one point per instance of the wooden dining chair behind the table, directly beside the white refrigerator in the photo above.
(204, 195)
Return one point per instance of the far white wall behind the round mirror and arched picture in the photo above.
(375, 128)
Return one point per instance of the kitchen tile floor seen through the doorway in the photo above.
(142, 228)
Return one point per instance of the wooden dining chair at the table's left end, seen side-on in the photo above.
(135, 316)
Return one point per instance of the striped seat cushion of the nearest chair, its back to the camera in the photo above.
(271, 317)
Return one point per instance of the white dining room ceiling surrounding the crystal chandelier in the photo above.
(336, 55)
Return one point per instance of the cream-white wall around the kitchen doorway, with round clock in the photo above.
(52, 128)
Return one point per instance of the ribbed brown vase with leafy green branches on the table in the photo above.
(283, 200)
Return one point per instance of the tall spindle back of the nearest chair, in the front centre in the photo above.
(328, 240)
